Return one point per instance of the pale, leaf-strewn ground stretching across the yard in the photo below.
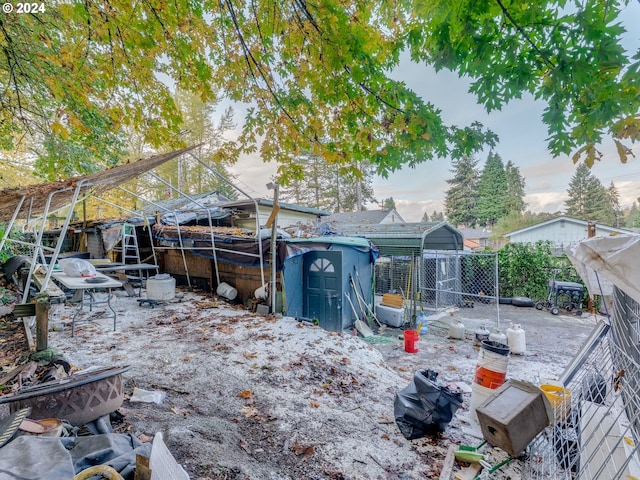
(263, 397)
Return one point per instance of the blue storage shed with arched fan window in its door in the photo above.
(333, 271)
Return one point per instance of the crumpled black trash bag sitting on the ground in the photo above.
(425, 406)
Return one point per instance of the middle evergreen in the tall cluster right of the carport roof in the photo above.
(492, 191)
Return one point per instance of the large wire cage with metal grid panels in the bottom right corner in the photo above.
(595, 432)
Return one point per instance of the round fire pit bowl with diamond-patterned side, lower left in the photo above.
(81, 398)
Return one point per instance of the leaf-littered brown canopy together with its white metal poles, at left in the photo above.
(43, 198)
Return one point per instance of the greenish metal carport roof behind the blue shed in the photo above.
(408, 238)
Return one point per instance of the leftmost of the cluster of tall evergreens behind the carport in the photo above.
(461, 198)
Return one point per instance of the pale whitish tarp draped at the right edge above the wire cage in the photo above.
(604, 261)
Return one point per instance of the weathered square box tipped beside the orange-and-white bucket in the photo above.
(514, 415)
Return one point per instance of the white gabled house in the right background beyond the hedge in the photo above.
(561, 232)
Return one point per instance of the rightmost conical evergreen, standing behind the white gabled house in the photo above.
(588, 199)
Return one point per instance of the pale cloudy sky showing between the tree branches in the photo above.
(522, 140)
